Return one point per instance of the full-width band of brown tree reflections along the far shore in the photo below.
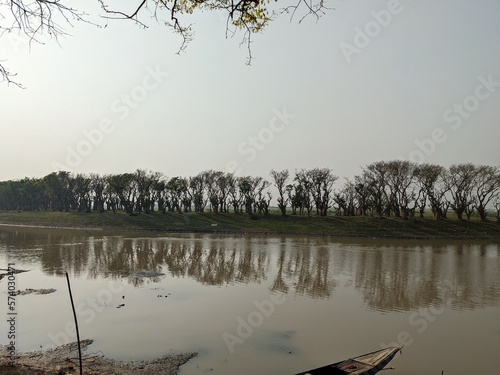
(397, 275)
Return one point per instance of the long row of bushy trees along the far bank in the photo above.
(386, 188)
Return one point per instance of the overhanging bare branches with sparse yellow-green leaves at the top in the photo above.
(36, 18)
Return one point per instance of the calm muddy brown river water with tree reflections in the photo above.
(259, 304)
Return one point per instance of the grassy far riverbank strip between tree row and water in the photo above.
(172, 222)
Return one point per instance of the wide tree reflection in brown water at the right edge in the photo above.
(423, 276)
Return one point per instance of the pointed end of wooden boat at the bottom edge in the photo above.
(366, 364)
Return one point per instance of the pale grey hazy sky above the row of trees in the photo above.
(370, 81)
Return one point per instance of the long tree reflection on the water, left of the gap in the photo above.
(209, 261)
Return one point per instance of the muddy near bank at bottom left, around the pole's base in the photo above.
(64, 360)
